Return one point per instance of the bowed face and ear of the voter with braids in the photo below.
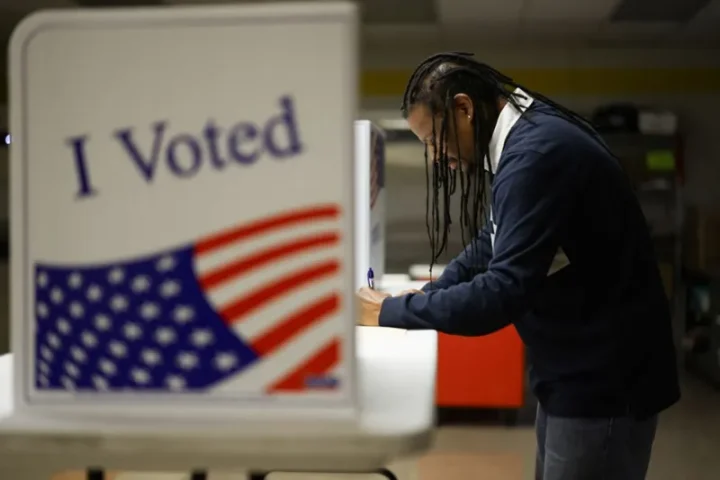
(459, 135)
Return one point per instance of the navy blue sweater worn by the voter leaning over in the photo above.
(598, 331)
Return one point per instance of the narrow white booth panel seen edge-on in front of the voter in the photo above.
(370, 201)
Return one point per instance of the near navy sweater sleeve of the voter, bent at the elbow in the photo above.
(532, 198)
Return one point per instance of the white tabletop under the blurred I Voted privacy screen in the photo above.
(397, 386)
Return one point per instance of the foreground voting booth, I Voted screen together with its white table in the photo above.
(183, 262)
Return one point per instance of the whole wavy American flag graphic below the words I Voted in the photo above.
(250, 308)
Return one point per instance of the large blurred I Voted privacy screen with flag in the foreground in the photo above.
(181, 203)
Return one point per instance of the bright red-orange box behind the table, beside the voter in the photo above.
(483, 372)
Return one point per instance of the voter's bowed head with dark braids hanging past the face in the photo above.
(452, 104)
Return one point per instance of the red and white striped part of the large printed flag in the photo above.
(275, 282)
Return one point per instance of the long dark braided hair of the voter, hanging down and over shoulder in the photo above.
(434, 83)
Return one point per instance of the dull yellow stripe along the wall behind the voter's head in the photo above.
(587, 81)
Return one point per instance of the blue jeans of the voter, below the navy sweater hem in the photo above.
(593, 448)
